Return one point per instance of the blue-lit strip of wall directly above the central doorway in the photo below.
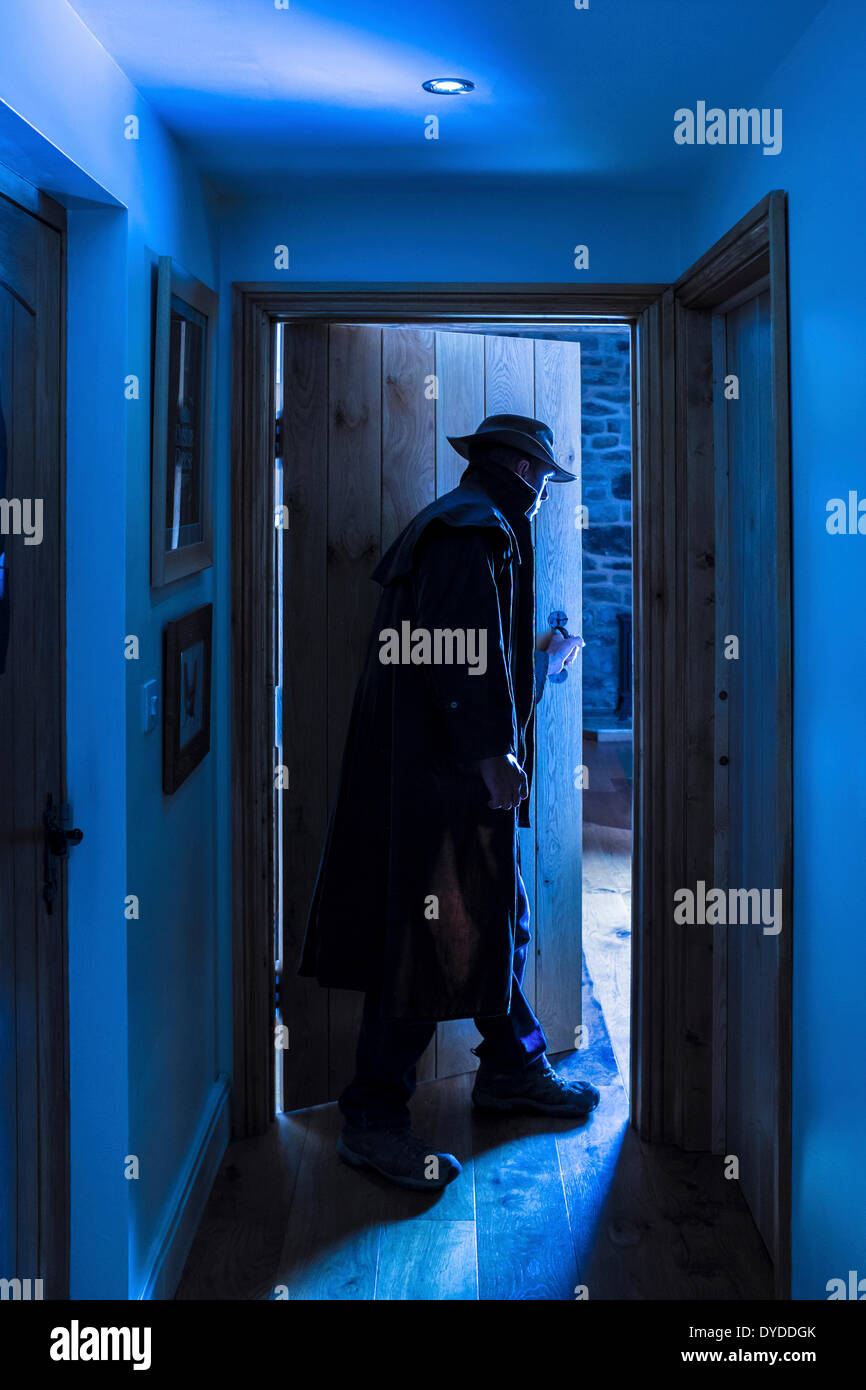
(472, 230)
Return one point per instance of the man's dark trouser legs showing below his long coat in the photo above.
(390, 1049)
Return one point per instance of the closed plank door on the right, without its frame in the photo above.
(750, 755)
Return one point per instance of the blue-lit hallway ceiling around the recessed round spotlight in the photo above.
(261, 94)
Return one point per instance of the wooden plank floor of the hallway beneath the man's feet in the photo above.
(541, 1209)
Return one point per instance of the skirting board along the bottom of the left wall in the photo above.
(193, 1191)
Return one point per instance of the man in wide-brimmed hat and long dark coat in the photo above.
(419, 899)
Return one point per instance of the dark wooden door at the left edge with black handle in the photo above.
(34, 1040)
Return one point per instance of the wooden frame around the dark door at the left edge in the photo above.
(54, 1099)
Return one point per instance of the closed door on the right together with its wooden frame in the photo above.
(714, 736)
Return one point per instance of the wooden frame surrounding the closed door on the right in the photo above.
(678, 1053)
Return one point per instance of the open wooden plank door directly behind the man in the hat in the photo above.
(365, 423)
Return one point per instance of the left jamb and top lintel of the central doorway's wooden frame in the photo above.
(255, 311)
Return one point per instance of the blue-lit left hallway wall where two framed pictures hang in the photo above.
(149, 1015)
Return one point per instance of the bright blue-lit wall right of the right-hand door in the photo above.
(819, 88)
